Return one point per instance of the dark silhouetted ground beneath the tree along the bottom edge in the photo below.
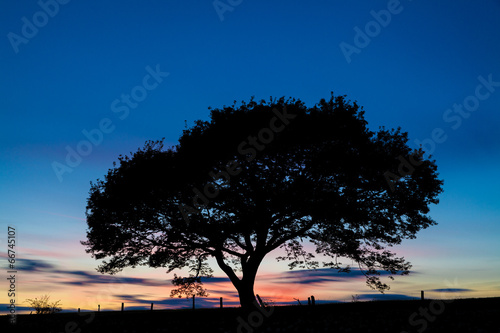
(463, 315)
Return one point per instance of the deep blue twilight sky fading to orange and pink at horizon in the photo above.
(85, 81)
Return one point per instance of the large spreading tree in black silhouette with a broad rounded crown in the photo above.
(262, 176)
